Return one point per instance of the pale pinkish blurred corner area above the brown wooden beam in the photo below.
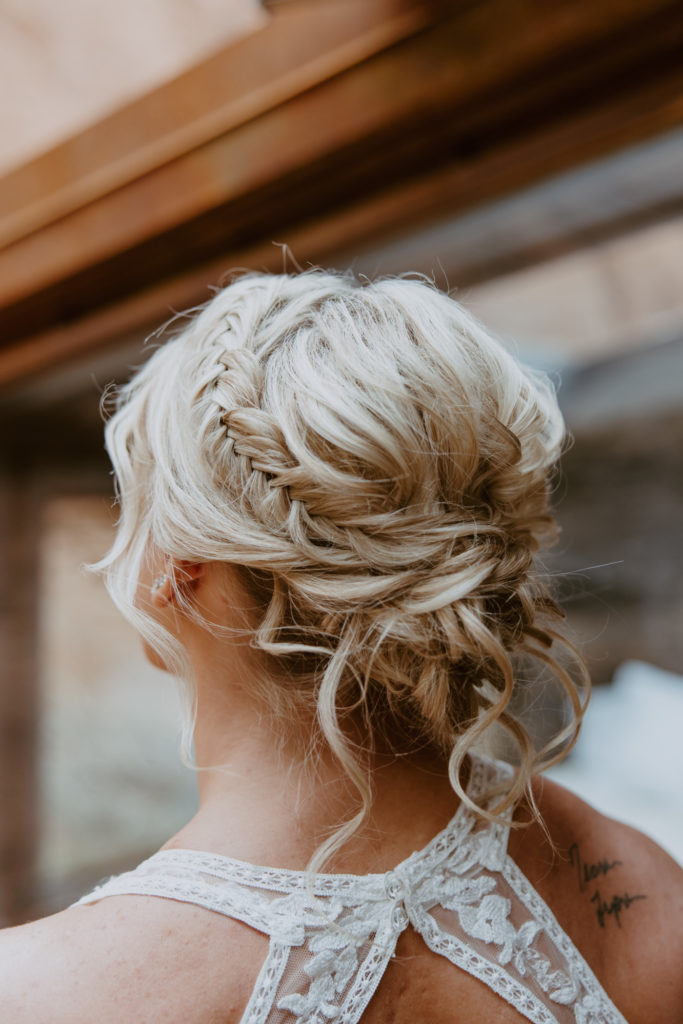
(68, 65)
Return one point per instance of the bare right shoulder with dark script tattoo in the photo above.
(618, 895)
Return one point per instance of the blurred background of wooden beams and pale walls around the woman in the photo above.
(528, 156)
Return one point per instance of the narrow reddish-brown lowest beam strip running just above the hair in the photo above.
(600, 130)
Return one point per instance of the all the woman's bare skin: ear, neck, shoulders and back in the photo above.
(144, 960)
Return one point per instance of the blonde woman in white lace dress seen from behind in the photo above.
(331, 498)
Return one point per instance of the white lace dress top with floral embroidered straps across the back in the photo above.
(332, 937)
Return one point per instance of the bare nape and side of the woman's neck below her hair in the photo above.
(272, 795)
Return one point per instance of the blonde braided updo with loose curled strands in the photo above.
(378, 465)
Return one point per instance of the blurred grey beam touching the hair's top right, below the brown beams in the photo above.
(625, 192)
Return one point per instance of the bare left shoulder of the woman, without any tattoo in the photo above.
(131, 959)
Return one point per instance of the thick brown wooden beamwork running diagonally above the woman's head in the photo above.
(335, 127)
